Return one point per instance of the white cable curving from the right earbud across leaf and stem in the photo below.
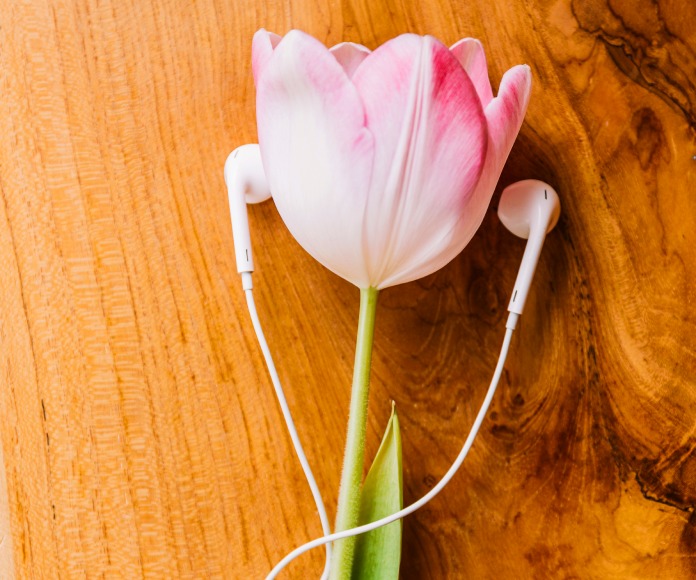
(431, 494)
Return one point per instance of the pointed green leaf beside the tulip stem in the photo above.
(378, 553)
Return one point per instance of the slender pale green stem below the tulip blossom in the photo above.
(354, 458)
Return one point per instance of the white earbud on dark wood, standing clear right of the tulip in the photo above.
(529, 209)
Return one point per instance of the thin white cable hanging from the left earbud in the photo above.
(326, 529)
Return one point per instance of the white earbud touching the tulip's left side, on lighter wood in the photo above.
(246, 183)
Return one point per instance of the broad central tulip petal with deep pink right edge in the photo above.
(430, 144)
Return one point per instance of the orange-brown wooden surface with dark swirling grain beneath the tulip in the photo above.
(140, 435)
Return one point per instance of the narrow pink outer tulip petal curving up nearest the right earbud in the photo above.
(504, 114)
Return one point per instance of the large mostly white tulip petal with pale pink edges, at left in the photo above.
(316, 151)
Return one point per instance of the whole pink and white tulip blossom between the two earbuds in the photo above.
(382, 164)
